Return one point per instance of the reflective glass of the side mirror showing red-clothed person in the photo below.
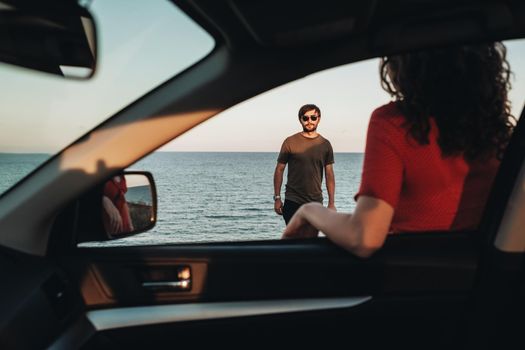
(128, 204)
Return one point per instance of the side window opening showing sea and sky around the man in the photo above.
(215, 183)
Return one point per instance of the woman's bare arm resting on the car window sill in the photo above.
(361, 233)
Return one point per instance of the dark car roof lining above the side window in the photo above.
(274, 24)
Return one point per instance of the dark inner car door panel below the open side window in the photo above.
(419, 281)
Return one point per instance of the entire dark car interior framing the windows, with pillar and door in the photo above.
(424, 290)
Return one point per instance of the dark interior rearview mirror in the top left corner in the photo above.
(56, 36)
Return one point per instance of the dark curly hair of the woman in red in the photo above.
(464, 88)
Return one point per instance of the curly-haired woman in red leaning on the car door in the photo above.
(431, 155)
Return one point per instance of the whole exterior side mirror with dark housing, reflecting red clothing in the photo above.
(124, 205)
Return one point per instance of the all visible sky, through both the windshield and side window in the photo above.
(152, 41)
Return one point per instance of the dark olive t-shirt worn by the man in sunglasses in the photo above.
(306, 159)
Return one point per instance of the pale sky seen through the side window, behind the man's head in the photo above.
(346, 95)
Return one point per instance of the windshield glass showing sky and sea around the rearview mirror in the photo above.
(42, 114)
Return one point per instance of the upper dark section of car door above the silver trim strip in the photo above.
(432, 263)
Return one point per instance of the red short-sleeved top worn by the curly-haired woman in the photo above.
(427, 191)
